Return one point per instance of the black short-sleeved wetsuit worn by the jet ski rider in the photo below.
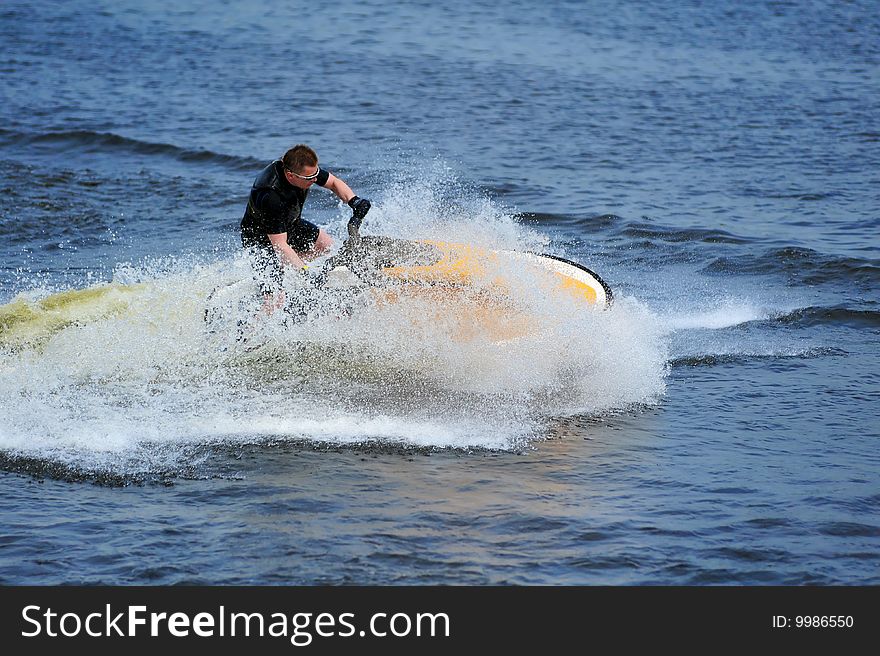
(275, 206)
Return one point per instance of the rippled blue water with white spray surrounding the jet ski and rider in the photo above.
(716, 162)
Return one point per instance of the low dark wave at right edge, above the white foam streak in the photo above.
(803, 265)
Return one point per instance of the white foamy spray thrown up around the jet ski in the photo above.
(115, 390)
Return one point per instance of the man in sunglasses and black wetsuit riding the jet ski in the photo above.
(273, 228)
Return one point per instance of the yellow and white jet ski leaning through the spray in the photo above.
(464, 288)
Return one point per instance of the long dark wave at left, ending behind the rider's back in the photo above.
(107, 141)
